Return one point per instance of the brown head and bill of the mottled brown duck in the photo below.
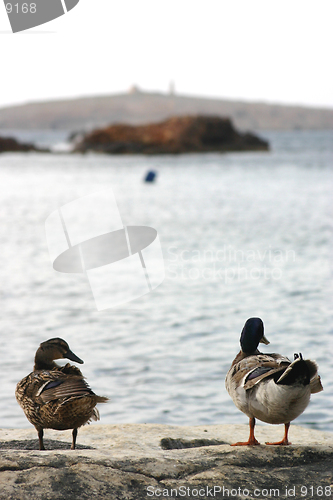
(53, 349)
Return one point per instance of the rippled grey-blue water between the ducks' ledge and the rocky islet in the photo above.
(242, 235)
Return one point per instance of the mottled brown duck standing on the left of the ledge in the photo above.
(57, 397)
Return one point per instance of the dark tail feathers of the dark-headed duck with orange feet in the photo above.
(302, 372)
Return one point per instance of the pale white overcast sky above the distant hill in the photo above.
(253, 50)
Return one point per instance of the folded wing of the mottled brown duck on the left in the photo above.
(60, 388)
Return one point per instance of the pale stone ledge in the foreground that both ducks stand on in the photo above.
(140, 461)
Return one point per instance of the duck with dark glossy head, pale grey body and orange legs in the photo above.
(269, 387)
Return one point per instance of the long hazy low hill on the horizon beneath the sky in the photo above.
(138, 107)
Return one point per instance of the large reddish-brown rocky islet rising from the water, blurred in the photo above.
(184, 134)
